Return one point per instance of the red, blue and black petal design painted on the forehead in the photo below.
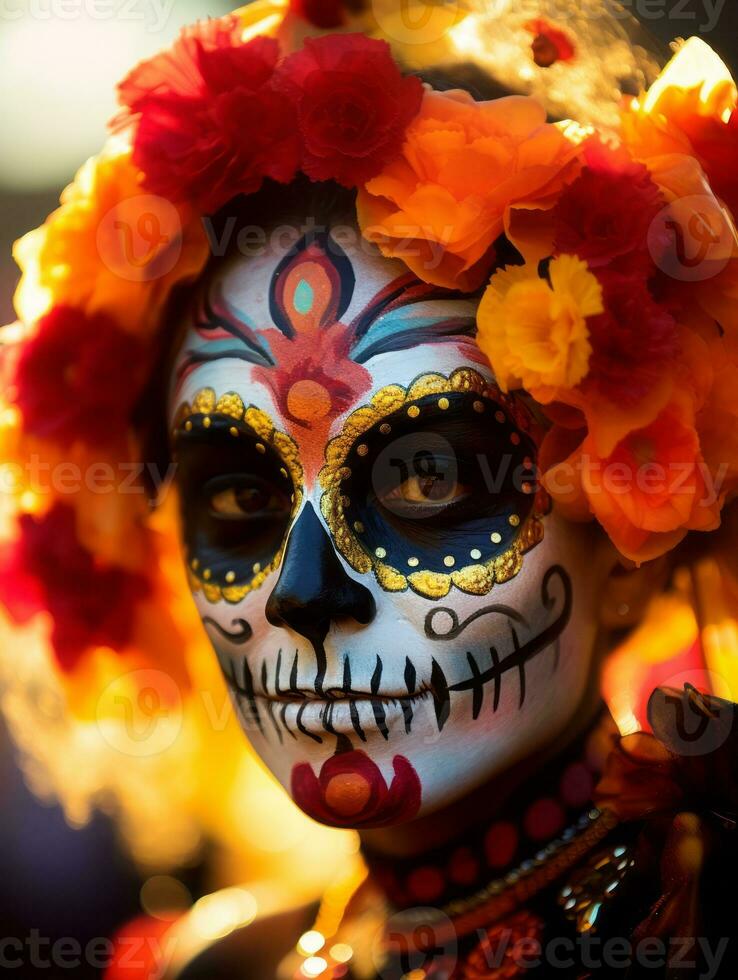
(318, 333)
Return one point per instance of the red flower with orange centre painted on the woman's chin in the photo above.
(351, 791)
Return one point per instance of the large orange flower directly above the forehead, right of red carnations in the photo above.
(466, 167)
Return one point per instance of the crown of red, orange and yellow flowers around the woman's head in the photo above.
(618, 316)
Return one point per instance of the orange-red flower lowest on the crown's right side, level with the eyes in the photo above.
(649, 492)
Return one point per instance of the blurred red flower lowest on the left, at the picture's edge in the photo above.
(47, 568)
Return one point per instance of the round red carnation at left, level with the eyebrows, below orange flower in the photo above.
(78, 379)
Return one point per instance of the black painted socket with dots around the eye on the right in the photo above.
(444, 482)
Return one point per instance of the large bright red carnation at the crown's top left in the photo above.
(210, 123)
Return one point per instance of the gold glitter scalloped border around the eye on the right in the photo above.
(475, 579)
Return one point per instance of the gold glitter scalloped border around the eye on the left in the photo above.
(205, 405)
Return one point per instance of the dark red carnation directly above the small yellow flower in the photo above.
(605, 215)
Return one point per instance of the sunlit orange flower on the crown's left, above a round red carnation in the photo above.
(110, 248)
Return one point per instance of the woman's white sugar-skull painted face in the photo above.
(397, 613)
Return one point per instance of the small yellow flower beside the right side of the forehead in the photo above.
(535, 334)
